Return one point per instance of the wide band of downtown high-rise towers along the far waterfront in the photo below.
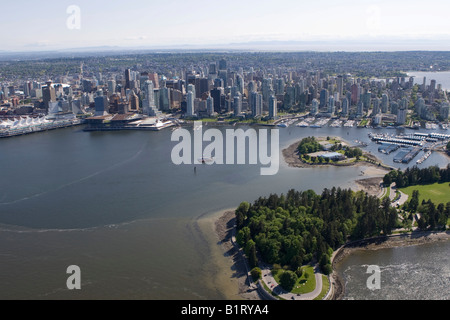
(211, 89)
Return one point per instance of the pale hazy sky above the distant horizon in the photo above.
(45, 25)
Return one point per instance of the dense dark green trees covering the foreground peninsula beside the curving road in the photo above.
(293, 229)
